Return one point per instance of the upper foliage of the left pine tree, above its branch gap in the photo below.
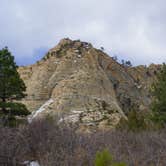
(11, 85)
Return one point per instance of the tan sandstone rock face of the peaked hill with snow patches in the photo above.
(81, 84)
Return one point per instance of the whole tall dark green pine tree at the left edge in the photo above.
(12, 88)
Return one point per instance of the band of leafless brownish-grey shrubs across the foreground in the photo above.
(54, 145)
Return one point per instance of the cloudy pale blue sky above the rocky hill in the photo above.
(131, 29)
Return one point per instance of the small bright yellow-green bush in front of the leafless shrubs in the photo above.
(104, 158)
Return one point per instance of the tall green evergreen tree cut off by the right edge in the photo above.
(159, 93)
